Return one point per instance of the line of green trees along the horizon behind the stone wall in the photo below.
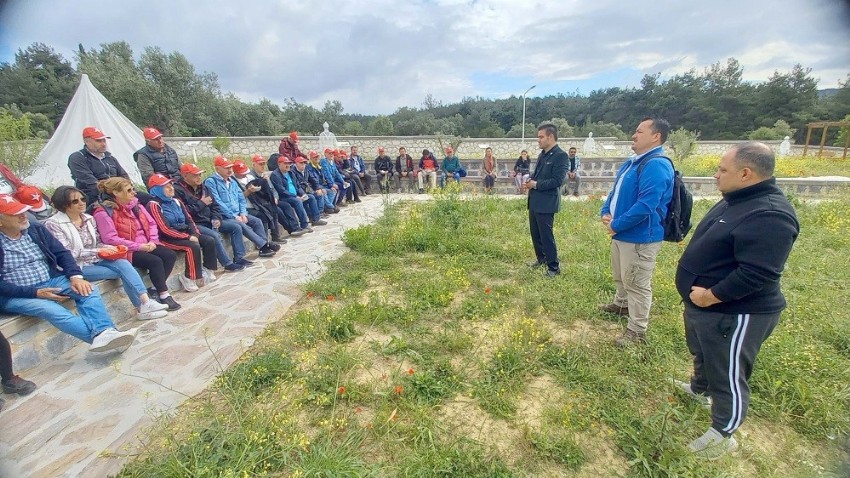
(164, 90)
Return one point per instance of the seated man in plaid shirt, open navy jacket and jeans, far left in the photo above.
(36, 273)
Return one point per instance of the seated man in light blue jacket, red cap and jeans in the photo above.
(228, 195)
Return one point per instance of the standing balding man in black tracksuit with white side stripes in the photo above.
(728, 277)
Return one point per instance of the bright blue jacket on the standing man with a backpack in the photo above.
(642, 201)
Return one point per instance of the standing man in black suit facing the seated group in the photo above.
(544, 199)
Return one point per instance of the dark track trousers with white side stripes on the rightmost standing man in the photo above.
(724, 347)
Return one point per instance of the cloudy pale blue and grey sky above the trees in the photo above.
(378, 55)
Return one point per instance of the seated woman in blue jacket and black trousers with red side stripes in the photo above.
(177, 231)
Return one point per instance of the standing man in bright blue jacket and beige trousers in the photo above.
(633, 215)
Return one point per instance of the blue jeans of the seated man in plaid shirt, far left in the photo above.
(93, 318)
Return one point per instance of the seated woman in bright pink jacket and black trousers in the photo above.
(122, 221)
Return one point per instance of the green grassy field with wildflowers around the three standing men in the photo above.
(431, 350)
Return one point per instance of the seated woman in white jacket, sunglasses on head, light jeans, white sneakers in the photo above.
(76, 231)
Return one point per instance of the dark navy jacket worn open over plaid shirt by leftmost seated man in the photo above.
(60, 261)
